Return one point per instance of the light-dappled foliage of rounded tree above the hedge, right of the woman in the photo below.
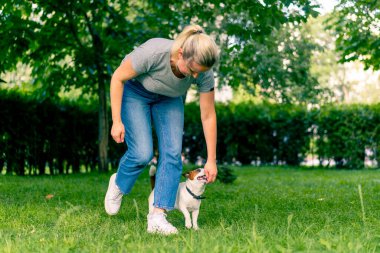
(279, 67)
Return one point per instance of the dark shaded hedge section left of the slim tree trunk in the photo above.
(36, 134)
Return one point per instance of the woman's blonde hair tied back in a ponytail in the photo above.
(197, 46)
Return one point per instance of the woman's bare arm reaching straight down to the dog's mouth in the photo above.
(208, 117)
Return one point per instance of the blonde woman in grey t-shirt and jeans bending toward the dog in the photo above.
(147, 88)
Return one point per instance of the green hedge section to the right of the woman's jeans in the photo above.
(279, 134)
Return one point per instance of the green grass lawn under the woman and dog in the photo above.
(264, 210)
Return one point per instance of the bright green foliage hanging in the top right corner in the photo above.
(357, 26)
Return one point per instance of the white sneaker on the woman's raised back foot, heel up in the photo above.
(113, 197)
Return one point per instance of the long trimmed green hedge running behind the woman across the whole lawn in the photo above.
(63, 137)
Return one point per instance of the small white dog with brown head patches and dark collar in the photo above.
(189, 195)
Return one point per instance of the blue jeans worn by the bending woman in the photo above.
(139, 108)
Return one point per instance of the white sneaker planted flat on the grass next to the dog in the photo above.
(157, 223)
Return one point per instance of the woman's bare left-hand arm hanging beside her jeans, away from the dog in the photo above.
(123, 73)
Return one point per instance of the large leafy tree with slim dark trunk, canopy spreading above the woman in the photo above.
(78, 43)
